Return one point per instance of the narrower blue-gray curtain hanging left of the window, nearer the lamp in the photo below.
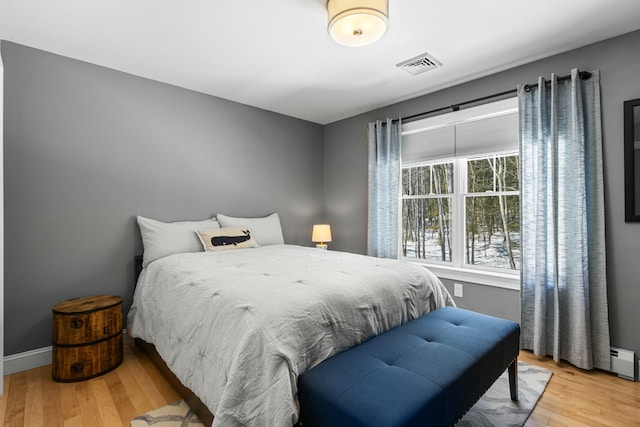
(384, 188)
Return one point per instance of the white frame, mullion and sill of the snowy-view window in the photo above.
(457, 269)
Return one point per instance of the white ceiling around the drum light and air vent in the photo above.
(277, 55)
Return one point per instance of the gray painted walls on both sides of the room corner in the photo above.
(88, 148)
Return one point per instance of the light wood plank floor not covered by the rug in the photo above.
(573, 397)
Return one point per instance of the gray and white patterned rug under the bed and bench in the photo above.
(494, 409)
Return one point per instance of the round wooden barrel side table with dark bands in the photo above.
(87, 337)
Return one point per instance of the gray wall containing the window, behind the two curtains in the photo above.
(618, 60)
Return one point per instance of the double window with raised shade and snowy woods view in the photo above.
(460, 200)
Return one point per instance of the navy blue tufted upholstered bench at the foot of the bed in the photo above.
(427, 372)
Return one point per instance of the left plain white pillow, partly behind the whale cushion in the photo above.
(161, 239)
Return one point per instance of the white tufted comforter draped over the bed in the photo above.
(238, 327)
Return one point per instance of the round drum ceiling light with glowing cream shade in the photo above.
(357, 22)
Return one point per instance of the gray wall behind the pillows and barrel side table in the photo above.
(88, 148)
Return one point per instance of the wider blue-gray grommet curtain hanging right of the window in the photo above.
(564, 284)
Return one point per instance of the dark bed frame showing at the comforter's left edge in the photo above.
(192, 400)
